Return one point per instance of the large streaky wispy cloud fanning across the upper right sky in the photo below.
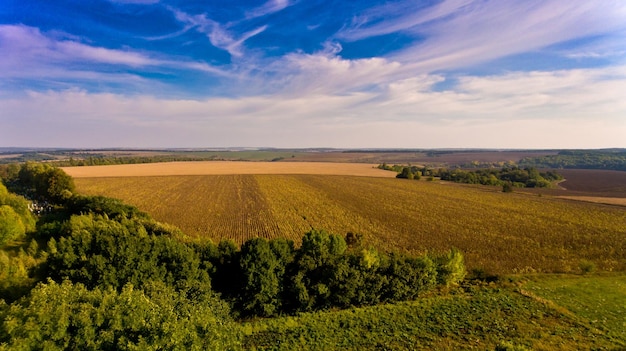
(460, 33)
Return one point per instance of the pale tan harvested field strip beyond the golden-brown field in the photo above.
(227, 167)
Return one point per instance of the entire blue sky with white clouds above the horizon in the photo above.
(532, 74)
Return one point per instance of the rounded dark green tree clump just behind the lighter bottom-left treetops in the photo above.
(97, 251)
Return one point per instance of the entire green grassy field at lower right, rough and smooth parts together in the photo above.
(478, 318)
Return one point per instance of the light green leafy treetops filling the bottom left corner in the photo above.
(69, 316)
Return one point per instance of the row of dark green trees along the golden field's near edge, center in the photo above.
(324, 272)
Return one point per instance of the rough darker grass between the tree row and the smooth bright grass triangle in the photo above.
(478, 318)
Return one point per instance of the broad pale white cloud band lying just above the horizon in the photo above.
(563, 109)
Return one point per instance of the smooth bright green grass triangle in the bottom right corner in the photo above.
(601, 300)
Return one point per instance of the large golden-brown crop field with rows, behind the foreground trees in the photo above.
(497, 231)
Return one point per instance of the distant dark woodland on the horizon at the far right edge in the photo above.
(587, 159)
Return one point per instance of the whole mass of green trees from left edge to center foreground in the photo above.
(91, 272)
